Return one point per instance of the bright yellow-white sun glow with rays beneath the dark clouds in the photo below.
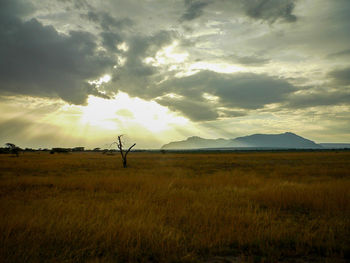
(47, 123)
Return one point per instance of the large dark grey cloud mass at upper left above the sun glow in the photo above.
(39, 61)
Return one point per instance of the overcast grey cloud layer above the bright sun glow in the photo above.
(209, 61)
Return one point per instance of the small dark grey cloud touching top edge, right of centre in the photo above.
(270, 10)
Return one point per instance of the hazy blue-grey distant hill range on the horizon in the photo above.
(286, 140)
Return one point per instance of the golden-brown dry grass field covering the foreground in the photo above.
(247, 207)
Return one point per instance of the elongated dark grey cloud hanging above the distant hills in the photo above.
(241, 90)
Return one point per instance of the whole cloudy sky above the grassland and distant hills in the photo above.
(82, 72)
